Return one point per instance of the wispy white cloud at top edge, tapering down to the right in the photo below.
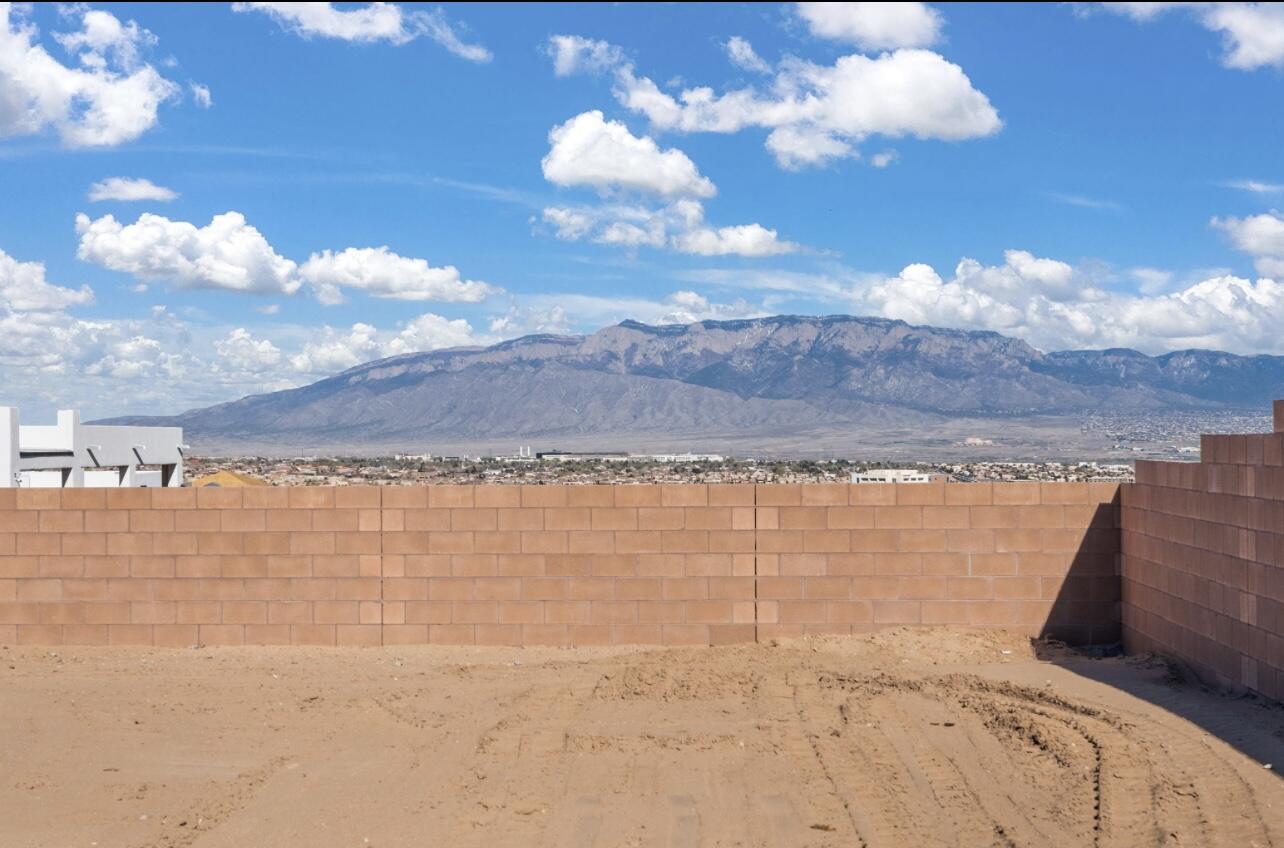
(369, 24)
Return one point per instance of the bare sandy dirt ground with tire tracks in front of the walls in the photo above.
(905, 738)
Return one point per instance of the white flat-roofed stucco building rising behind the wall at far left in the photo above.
(74, 455)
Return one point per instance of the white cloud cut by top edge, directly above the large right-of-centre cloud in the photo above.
(874, 26)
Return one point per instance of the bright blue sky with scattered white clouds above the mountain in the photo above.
(287, 192)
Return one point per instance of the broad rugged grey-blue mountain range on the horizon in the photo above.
(726, 381)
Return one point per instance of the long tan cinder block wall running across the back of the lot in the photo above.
(553, 565)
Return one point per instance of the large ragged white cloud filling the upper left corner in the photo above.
(111, 98)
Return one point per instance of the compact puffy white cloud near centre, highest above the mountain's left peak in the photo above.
(590, 151)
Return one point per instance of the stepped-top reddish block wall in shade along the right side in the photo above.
(1204, 560)
